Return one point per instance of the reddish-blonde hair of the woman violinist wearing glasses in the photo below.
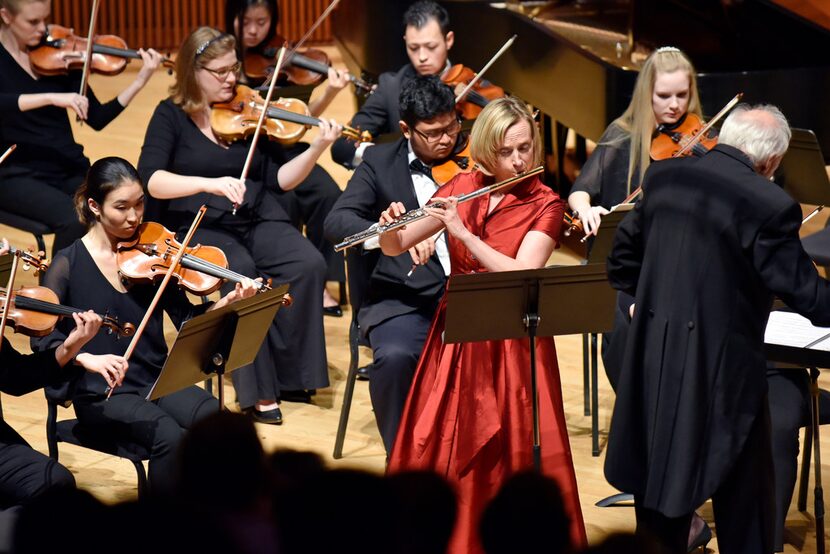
(201, 46)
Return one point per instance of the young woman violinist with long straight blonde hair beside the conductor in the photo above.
(665, 91)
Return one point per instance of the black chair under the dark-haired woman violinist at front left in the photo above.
(71, 431)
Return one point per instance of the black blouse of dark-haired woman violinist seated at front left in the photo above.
(78, 282)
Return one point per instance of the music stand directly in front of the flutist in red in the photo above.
(540, 302)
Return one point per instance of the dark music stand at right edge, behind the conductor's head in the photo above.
(802, 172)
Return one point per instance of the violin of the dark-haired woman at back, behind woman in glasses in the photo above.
(307, 68)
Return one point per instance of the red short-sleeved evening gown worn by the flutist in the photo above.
(468, 415)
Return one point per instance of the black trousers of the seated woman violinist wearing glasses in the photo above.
(293, 356)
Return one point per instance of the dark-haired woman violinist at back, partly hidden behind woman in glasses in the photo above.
(253, 23)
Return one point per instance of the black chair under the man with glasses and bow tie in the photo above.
(359, 267)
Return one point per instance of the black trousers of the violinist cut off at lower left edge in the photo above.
(26, 473)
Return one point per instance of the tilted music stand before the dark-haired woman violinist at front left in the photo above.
(218, 342)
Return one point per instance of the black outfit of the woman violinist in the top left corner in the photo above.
(42, 174)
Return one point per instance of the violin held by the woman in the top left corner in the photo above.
(61, 51)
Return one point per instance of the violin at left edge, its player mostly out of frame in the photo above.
(34, 312)
